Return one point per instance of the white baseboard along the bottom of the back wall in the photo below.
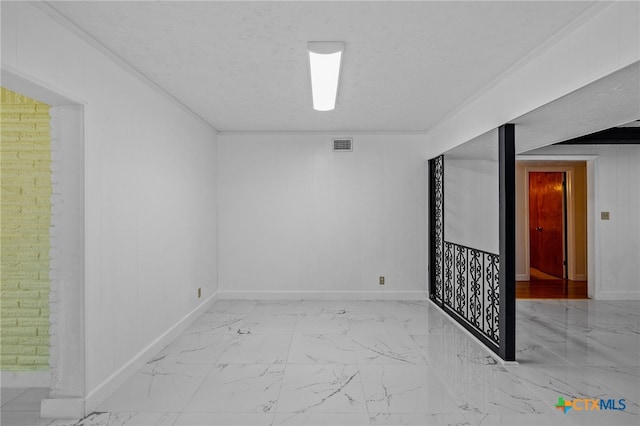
(323, 295)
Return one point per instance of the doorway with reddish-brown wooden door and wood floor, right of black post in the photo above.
(551, 234)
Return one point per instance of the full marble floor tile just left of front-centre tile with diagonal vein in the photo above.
(238, 388)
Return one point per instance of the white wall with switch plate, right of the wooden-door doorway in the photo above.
(614, 249)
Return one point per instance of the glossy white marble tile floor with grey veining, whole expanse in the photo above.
(374, 363)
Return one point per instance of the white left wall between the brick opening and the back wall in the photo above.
(150, 191)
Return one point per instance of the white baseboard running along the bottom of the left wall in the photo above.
(69, 407)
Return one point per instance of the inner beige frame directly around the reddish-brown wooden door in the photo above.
(568, 223)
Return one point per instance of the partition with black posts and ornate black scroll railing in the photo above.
(472, 238)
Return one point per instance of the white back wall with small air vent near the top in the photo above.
(298, 220)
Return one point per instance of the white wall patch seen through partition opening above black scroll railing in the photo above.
(471, 203)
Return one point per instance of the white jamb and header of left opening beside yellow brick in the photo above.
(67, 378)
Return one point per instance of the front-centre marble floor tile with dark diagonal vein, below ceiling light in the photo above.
(325, 388)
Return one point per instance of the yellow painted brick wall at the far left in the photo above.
(25, 157)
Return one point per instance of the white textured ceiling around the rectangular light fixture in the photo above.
(242, 66)
